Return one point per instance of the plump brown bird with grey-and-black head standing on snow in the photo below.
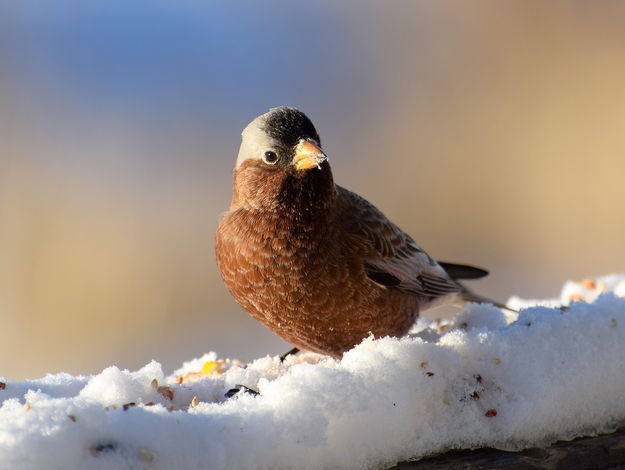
(317, 264)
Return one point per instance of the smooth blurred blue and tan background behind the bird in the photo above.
(493, 132)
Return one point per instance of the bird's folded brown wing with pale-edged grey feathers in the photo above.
(393, 259)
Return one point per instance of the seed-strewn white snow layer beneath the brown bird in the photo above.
(487, 378)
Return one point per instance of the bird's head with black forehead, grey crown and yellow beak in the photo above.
(280, 162)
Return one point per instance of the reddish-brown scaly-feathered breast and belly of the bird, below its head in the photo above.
(307, 282)
